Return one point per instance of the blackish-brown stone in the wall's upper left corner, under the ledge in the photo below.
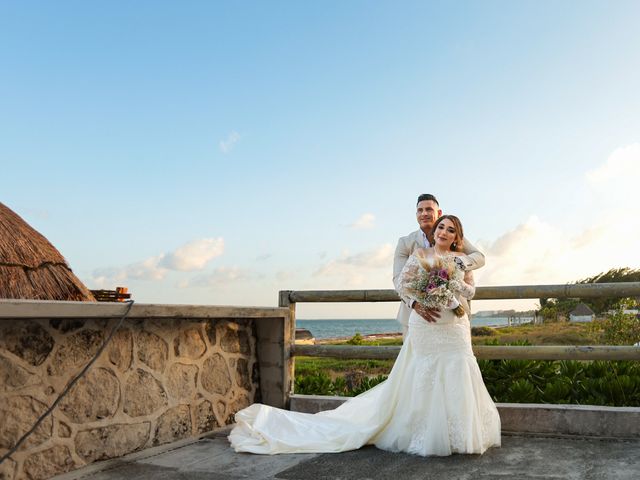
(28, 340)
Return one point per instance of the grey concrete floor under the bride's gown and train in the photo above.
(519, 458)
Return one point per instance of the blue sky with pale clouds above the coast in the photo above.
(216, 152)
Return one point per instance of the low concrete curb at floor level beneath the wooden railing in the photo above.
(530, 418)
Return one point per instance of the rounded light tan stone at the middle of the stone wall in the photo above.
(143, 394)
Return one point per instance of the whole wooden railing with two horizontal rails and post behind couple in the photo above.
(289, 298)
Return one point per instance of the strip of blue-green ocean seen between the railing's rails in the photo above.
(321, 329)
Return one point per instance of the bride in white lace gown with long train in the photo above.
(434, 401)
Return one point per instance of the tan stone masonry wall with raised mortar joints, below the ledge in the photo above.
(158, 381)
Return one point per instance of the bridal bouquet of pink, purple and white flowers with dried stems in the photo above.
(435, 283)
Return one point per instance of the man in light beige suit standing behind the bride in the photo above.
(427, 212)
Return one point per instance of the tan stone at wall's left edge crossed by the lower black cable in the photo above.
(17, 416)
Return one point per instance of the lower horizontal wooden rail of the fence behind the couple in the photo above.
(481, 351)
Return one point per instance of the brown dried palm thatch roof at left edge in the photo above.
(32, 268)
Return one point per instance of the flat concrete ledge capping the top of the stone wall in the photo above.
(16, 309)
